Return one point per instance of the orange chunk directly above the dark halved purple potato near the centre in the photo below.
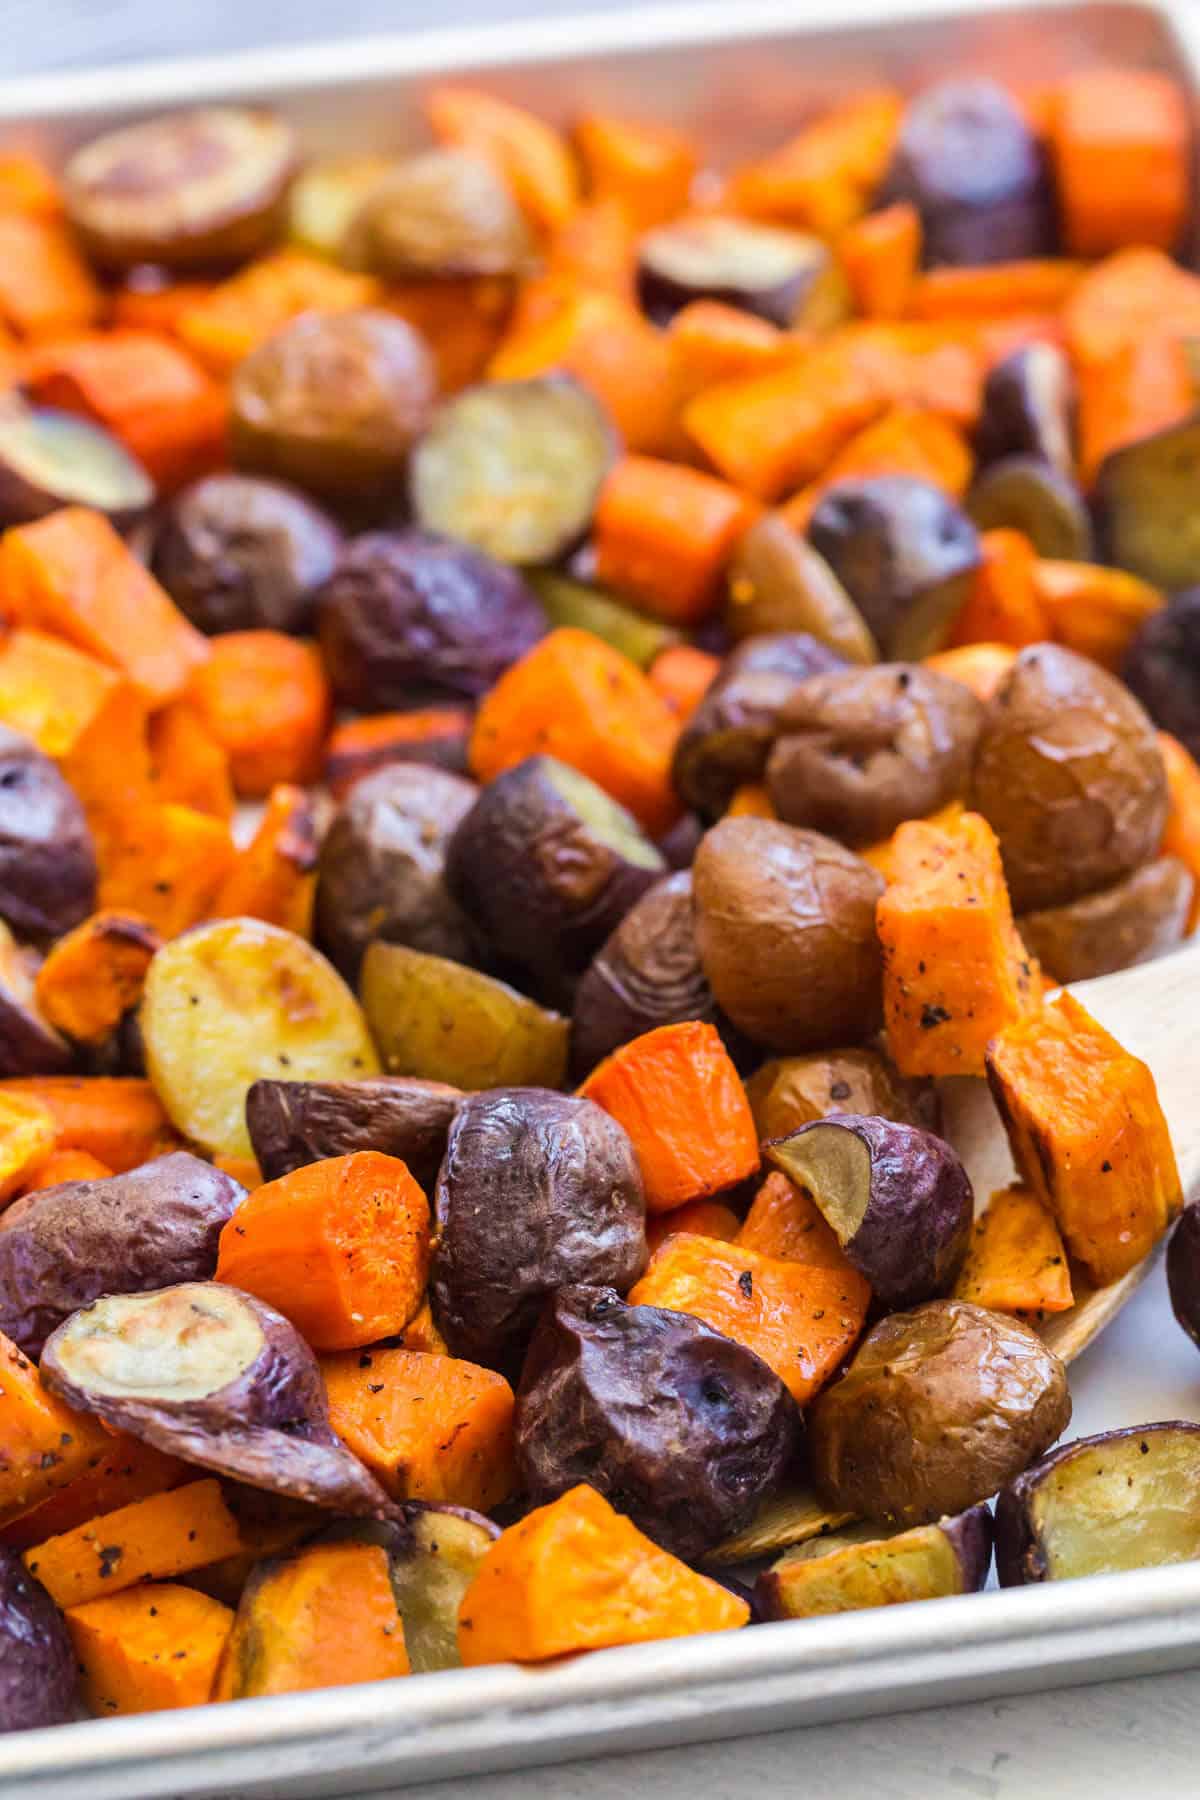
(578, 699)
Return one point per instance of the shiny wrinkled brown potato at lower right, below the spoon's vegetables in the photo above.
(938, 1408)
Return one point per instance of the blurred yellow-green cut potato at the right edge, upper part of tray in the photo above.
(1145, 501)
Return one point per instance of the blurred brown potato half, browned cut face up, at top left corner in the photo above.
(188, 190)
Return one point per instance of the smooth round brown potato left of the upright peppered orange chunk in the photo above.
(785, 928)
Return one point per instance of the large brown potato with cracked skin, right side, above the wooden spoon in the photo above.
(1070, 777)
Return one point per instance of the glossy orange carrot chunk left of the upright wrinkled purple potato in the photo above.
(343, 1248)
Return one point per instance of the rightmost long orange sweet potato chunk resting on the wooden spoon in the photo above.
(1088, 1135)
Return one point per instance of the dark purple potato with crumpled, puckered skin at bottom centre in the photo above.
(679, 1426)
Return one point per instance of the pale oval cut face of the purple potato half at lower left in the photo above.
(181, 1344)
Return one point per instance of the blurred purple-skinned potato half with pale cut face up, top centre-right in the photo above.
(782, 276)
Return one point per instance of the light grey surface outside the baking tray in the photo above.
(1129, 1740)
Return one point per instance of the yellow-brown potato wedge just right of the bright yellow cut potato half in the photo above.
(449, 1023)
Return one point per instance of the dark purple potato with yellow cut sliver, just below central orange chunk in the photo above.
(546, 865)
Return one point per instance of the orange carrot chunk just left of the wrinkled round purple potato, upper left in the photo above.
(265, 701)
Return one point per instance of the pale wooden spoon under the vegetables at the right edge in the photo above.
(1156, 1014)
